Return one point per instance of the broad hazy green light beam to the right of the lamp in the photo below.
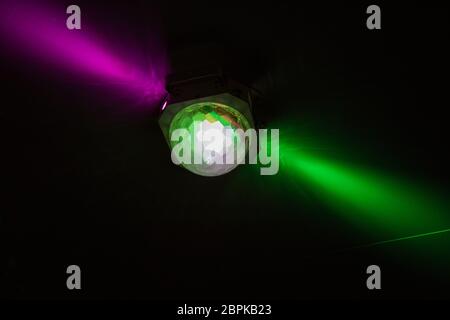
(373, 201)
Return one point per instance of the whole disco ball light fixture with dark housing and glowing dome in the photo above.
(203, 105)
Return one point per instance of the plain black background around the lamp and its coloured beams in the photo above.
(87, 185)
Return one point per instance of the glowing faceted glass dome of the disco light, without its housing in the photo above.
(212, 136)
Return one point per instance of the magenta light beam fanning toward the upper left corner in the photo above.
(41, 33)
